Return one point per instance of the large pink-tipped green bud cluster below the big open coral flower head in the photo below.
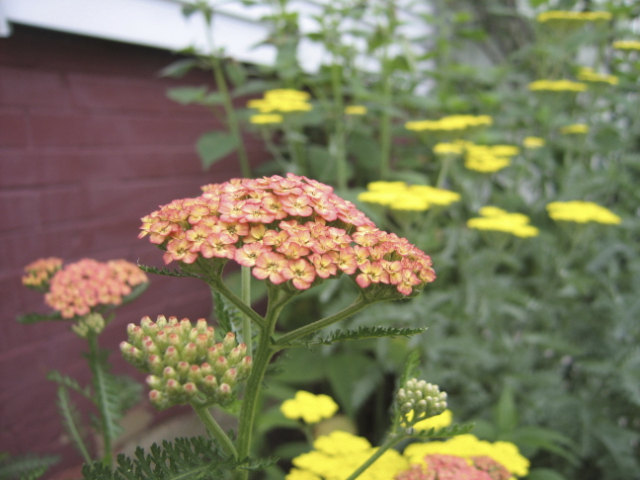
(185, 362)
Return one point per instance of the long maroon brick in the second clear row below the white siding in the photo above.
(104, 130)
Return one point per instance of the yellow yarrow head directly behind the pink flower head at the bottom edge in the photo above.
(467, 446)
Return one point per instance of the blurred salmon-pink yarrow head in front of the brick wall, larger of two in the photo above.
(82, 286)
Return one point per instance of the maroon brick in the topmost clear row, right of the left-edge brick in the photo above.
(127, 94)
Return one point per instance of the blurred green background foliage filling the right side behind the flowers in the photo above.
(536, 339)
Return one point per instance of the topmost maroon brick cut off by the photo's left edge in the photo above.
(31, 87)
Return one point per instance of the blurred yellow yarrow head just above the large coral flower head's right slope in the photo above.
(400, 196)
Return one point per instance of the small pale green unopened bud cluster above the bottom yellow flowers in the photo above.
(424, 399)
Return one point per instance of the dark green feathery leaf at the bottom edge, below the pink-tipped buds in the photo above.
(196, 458)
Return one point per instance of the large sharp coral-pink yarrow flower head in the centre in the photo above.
(286, 229)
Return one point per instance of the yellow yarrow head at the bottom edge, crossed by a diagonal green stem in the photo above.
(337, 455)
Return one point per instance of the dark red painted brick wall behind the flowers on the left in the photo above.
(89, 143)
